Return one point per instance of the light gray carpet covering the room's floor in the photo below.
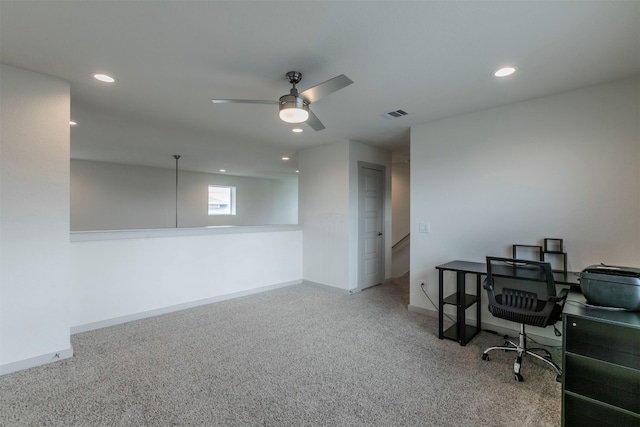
(296, 356)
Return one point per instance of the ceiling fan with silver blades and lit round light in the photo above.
(294, 107)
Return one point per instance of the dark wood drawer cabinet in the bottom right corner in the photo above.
(601, 367)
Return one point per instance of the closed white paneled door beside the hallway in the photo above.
(371, 237)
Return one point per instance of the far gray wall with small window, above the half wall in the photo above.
(109, 196)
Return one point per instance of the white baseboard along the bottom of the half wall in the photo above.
(165, 310)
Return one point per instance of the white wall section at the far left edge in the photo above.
(34, 219)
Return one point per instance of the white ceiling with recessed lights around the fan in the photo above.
(432, 59)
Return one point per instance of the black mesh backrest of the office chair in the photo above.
(519, 290)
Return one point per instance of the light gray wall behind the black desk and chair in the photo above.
(562, 166)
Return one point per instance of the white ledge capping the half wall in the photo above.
(88, 236)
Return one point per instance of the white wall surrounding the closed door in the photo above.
(329, 211)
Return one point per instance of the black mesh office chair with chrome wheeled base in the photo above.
(523, 291)
